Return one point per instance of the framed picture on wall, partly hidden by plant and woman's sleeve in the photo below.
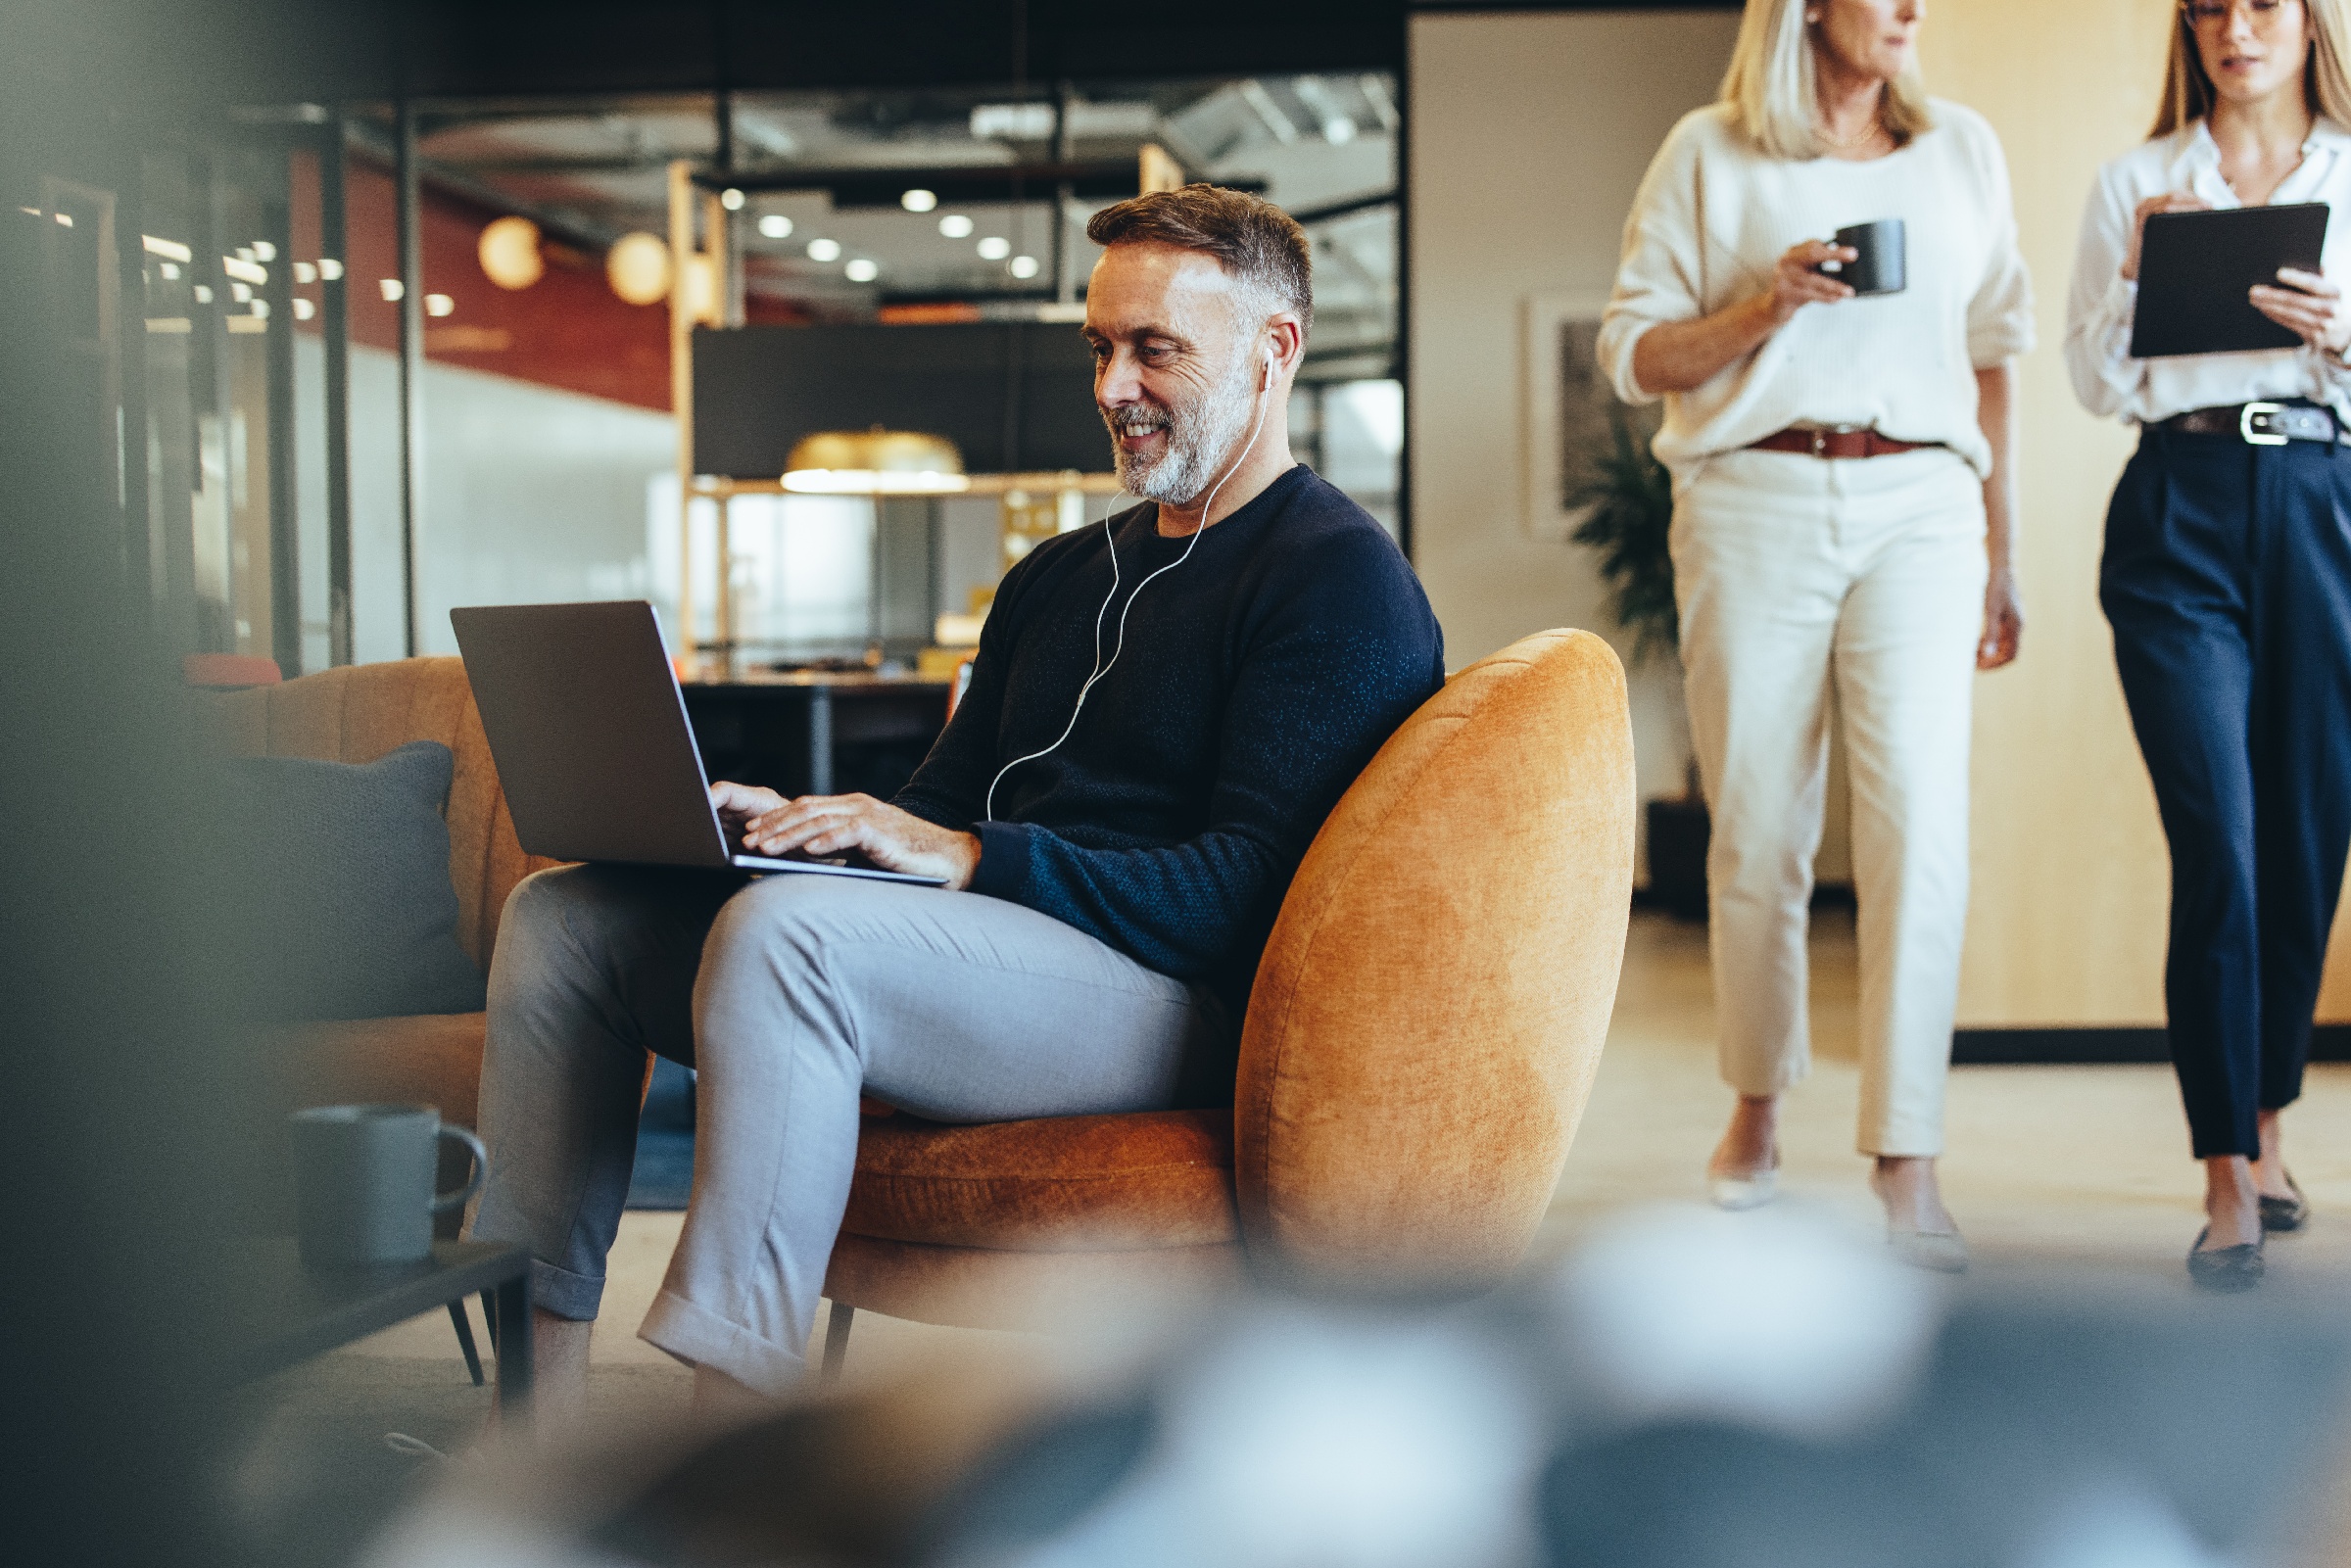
(1567, 408)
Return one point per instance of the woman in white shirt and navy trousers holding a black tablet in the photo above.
(2228, 584)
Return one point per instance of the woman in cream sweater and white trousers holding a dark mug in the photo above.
(1840, 469)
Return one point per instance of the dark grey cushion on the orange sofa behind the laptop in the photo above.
(349, 871)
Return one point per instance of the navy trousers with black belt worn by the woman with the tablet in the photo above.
(2228, 584)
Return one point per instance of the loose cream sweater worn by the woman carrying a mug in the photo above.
(1710, 225)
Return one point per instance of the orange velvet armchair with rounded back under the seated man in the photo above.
(1416, 1057)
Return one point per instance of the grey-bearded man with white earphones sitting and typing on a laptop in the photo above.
(1160, 716)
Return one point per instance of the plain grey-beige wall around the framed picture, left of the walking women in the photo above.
(1529, 138)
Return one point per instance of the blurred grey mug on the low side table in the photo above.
(363, 1181)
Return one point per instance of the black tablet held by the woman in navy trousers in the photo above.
(2197, 267)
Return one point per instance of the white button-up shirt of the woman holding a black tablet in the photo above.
(2098, 311)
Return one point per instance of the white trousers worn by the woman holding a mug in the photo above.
(1797, 572)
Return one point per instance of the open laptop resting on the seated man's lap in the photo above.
(594, 744)
